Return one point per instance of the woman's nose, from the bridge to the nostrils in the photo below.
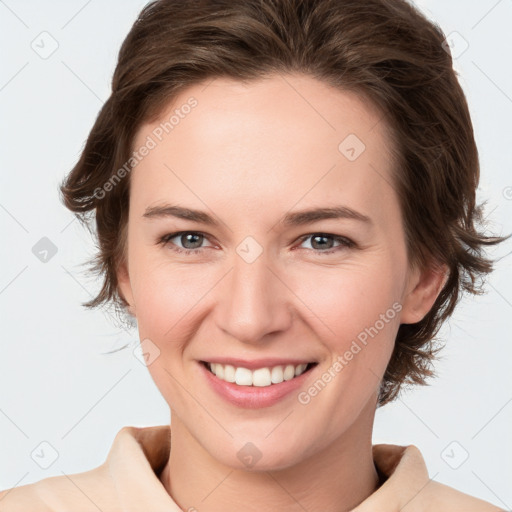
(253, 302)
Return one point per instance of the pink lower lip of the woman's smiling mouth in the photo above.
(253, 397)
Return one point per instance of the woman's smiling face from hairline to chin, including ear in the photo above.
(250, 282)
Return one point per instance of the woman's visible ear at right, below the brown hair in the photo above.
(423, 288)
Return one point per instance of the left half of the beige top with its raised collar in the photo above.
(128, 475)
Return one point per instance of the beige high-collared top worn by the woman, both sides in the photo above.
(128, 482)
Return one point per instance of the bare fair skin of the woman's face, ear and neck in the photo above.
(247, 154)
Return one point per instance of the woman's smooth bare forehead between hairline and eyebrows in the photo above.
(279, 140)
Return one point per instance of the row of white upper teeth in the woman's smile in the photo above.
(262, 377)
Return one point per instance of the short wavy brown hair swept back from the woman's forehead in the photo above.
(384, 50)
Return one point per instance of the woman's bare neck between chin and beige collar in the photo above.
(336, 478)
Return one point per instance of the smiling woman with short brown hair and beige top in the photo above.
(284, 194)
